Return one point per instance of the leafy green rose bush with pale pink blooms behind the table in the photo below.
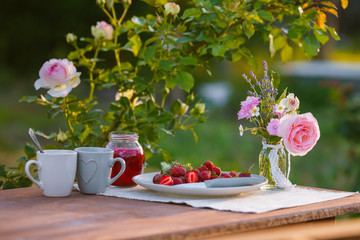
(145, 58)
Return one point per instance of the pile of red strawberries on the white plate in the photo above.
(178, 174)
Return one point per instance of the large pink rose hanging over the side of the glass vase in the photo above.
(299, 132)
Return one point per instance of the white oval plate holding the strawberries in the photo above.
(194, 189)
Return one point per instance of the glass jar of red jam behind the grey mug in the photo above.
(126, 146)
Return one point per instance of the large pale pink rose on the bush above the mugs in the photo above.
(58, 75)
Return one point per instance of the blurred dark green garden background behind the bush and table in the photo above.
(34, 31)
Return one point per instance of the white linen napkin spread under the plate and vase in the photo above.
(259, 201)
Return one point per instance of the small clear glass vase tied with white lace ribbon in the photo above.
(277, 171)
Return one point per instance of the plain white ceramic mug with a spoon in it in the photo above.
(56, 170)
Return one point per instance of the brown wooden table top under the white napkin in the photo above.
(26, 214)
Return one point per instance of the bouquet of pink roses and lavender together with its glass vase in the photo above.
(278, 122)
